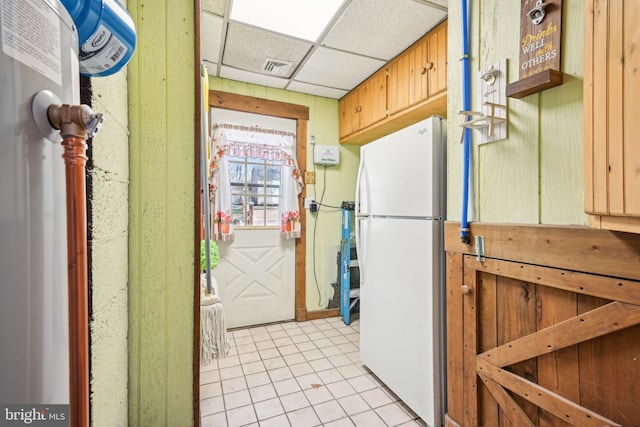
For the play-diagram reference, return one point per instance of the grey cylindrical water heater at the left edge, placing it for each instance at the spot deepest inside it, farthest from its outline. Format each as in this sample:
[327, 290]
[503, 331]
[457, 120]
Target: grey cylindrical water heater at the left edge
[39, 52]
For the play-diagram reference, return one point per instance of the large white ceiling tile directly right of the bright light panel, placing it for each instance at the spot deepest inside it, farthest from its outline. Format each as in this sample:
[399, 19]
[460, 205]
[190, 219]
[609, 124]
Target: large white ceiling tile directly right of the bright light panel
[382, 28]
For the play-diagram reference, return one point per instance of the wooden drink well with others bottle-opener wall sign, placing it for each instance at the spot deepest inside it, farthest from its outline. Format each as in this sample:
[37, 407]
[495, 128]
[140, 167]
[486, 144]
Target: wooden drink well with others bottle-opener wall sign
[540, 45]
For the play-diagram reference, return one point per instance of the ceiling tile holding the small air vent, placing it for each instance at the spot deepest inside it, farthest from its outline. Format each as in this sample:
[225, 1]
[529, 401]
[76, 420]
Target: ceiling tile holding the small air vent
[248, 47]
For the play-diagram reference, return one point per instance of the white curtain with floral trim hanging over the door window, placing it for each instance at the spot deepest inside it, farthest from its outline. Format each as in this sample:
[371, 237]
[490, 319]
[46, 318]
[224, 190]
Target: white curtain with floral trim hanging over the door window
[267, 144]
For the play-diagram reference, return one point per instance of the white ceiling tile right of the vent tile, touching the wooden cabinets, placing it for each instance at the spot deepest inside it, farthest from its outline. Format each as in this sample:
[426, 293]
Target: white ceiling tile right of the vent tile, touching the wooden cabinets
[340, 70]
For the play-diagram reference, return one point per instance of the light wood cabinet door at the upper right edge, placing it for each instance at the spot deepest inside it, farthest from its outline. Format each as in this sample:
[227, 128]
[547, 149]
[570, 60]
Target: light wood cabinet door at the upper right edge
[611, 105]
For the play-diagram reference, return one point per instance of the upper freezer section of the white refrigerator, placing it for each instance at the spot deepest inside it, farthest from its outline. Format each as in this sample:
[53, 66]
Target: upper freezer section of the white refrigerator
[402, 174]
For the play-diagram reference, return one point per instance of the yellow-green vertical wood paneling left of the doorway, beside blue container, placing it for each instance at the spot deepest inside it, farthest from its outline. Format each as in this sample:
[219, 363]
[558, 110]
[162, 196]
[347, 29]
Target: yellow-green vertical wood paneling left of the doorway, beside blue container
[161, 101]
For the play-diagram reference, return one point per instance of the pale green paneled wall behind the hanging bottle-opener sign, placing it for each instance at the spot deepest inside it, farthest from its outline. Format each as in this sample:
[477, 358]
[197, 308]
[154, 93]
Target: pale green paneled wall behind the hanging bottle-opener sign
[535, 175]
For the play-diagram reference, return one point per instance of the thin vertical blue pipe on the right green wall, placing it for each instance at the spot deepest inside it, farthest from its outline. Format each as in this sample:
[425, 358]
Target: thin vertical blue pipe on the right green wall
[466, 106]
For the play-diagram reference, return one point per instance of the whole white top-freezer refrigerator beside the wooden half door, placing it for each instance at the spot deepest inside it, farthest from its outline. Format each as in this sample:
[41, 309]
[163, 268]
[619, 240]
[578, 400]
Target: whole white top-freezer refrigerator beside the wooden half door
[400, 211]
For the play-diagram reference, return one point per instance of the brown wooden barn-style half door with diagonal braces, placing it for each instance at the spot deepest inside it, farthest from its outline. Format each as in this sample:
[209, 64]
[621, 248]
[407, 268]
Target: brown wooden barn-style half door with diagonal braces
[543, 343]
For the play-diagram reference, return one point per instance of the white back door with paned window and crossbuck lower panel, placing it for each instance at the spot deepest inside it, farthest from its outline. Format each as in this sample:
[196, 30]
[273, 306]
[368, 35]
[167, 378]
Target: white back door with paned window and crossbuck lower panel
[255, 275]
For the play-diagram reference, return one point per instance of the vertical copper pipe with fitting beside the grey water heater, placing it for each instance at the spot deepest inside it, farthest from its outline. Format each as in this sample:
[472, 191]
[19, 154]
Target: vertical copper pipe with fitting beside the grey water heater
[72, 121]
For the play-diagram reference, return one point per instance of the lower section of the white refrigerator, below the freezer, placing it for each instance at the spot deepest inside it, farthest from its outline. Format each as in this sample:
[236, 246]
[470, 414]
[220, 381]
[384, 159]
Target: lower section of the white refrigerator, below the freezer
[400, 310]
